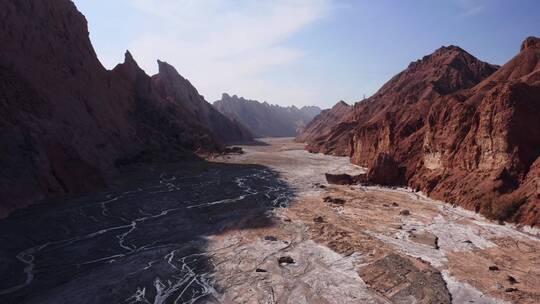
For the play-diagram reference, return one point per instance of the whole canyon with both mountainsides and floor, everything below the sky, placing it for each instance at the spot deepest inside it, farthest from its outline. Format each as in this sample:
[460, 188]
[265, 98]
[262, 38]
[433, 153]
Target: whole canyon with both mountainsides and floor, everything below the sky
[122, 187]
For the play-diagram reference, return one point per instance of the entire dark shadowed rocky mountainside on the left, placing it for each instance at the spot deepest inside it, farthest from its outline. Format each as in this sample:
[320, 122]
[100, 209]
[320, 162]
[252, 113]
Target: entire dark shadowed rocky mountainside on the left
[66, 122]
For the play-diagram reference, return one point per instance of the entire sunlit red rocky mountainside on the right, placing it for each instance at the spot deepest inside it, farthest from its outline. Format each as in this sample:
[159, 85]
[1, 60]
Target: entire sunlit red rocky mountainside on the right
[462, 130]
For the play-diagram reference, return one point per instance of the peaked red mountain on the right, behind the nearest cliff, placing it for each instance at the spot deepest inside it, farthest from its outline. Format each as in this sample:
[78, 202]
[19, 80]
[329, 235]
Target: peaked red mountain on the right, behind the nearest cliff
[393, 120]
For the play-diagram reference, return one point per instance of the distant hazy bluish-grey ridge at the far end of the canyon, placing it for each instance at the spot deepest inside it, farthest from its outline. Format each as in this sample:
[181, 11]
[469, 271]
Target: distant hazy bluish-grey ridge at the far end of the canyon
[266, 120]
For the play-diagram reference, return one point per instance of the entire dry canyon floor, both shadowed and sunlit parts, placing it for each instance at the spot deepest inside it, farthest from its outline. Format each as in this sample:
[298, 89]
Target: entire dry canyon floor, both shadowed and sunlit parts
[262, 227]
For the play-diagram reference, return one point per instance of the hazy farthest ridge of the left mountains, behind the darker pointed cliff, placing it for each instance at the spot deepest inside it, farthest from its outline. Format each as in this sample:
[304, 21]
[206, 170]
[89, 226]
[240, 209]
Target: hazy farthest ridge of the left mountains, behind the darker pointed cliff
[175, 88]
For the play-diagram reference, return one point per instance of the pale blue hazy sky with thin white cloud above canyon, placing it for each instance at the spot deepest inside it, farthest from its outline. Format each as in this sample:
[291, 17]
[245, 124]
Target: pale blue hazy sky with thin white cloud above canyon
[301, 51]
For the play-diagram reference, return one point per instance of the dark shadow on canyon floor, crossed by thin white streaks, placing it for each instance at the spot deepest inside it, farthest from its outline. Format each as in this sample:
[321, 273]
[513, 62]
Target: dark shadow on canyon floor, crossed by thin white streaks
[139, 244]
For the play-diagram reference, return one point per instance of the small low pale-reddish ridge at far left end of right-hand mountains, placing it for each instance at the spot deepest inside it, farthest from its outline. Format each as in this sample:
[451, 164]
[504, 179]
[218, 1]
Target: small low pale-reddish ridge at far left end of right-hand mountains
[323, 124]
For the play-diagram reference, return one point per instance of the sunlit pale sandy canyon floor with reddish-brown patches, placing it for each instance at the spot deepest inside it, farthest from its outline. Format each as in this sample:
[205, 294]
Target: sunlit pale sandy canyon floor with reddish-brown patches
[380, 246]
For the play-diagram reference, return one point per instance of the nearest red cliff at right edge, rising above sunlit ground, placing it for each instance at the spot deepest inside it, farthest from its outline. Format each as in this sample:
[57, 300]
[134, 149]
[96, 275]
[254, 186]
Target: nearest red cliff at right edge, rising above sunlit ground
[480, 146]
